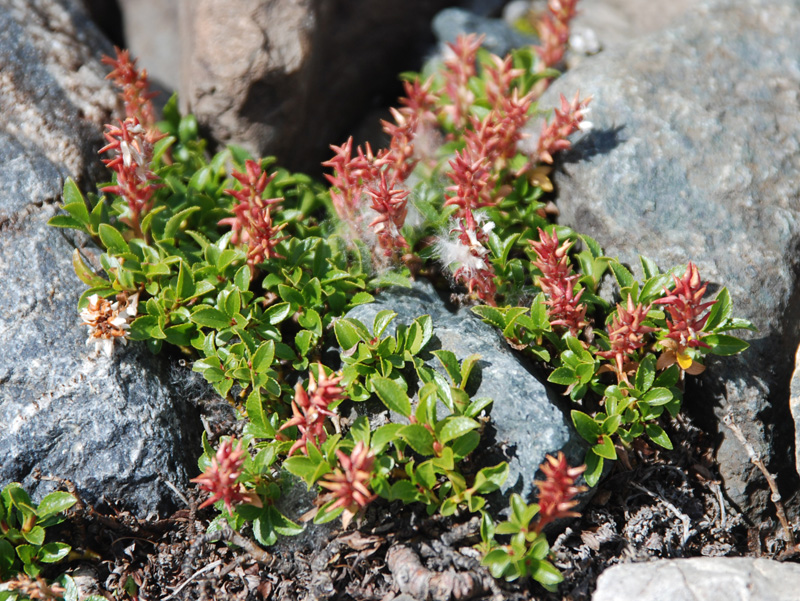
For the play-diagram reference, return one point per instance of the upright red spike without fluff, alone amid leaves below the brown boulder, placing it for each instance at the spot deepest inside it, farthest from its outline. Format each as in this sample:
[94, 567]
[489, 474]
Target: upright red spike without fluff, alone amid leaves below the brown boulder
[252, 218]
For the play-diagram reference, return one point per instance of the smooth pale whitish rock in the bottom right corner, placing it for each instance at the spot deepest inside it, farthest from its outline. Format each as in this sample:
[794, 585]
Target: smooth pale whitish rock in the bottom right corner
[700, 579]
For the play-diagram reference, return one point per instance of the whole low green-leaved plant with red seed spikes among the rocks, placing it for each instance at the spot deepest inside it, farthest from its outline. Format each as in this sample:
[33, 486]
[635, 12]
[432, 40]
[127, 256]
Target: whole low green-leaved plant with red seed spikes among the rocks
[250, 269]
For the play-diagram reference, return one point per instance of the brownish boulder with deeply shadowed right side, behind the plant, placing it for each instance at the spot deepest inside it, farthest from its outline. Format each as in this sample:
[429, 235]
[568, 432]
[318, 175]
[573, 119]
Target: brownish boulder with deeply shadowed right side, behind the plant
[290, 77]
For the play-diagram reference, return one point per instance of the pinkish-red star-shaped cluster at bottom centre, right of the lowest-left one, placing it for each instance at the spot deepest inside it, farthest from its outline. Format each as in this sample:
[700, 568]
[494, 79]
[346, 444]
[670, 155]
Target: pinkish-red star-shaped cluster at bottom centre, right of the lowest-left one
[349, 485]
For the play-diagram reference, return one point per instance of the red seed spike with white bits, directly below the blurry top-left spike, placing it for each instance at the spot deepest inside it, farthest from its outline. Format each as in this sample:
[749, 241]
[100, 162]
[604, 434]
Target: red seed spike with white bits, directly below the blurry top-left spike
[132, 149]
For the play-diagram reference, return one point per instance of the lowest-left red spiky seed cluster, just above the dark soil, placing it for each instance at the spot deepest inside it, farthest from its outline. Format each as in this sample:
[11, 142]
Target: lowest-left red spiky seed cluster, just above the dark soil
[220, 478]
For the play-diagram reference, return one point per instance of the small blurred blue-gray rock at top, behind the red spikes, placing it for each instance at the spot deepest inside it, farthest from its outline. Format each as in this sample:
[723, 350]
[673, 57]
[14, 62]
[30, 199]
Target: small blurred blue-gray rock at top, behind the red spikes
[500, 36]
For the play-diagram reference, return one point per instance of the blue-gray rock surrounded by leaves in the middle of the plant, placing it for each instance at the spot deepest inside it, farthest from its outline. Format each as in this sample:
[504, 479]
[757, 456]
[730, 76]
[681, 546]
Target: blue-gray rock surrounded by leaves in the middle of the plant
[527, 420]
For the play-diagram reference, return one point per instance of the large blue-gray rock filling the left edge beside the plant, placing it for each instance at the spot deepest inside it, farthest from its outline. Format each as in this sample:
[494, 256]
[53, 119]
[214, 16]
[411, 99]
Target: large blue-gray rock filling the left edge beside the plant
[113, 427]
